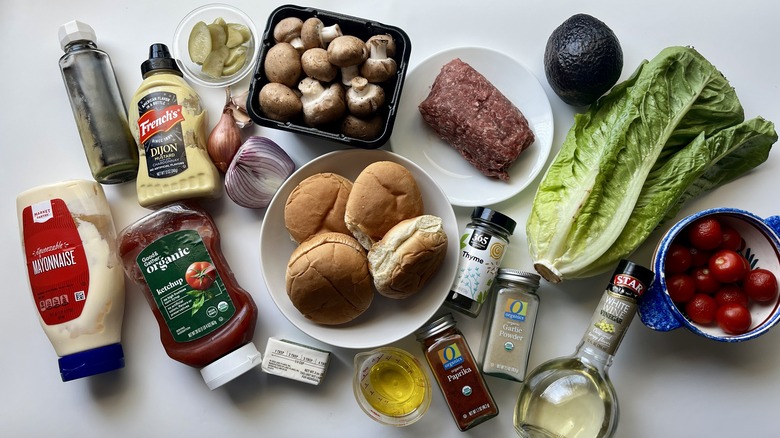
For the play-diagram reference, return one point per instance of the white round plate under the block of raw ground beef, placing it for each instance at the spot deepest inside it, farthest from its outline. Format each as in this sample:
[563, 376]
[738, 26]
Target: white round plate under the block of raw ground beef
[464, 185]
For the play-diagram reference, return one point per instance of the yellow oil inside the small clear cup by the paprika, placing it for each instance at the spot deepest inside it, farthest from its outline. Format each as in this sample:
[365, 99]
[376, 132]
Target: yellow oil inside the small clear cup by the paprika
[396, 388]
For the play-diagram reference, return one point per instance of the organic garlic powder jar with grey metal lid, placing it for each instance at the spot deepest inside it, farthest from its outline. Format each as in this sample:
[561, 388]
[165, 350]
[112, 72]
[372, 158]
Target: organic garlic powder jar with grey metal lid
[509, 326]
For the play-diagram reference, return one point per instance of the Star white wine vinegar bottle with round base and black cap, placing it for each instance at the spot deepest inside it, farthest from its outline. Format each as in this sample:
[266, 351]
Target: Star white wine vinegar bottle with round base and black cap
[573, 396]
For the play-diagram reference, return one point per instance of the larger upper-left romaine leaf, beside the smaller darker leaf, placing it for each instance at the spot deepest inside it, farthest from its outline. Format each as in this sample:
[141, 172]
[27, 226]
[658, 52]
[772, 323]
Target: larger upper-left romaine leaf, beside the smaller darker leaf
[589, 193]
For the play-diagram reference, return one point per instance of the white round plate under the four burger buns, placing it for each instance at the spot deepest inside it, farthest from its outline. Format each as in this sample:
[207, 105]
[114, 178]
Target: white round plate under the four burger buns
[386, 320]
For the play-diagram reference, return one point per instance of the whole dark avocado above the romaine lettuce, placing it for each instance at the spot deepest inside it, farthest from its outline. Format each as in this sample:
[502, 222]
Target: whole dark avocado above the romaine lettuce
[582, 60]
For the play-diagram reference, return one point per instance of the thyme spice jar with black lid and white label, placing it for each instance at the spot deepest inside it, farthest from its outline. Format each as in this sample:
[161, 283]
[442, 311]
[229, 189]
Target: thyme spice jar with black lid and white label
[482, 247]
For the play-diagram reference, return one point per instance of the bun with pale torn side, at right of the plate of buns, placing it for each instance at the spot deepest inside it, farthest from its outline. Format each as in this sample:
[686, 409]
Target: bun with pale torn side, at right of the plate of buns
[407, 256]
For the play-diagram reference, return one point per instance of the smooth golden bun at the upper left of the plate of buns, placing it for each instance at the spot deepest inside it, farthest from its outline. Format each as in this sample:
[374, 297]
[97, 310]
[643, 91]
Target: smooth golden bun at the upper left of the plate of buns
[317, 205]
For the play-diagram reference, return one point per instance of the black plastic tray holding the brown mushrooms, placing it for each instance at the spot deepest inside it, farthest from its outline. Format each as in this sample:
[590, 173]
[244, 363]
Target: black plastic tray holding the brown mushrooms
[358, 27]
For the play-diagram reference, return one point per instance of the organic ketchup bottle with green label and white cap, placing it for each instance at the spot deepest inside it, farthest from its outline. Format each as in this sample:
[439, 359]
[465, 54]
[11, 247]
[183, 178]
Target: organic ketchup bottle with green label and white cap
[206, 319]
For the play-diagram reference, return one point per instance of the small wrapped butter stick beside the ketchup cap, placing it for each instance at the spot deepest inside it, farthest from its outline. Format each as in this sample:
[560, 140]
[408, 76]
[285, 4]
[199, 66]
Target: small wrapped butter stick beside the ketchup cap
[295, 361]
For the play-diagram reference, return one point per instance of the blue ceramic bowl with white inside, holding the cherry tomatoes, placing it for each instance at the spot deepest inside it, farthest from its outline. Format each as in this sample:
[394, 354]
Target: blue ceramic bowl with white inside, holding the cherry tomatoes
[762, 249]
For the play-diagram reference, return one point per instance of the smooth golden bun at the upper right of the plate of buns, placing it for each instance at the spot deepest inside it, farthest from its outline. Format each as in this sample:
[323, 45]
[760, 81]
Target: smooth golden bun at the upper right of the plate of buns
[383, 194]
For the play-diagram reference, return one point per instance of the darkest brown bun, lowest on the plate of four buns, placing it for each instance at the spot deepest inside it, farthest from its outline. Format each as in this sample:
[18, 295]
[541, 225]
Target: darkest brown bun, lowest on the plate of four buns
[327, 279]
